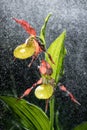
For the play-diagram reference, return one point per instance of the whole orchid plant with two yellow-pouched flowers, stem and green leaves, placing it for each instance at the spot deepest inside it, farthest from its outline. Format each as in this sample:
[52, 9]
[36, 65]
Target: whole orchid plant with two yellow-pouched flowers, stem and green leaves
[29, 116]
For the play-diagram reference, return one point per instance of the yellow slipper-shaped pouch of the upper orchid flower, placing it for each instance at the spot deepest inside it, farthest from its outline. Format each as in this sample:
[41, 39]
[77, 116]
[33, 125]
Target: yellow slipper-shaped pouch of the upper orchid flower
[24, 51]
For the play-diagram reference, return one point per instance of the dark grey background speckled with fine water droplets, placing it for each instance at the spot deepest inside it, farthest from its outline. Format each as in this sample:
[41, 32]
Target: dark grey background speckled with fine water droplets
[15, 77]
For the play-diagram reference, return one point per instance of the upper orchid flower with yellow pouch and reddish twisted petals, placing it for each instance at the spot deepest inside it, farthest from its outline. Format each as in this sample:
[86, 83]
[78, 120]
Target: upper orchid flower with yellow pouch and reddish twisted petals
[32, 47]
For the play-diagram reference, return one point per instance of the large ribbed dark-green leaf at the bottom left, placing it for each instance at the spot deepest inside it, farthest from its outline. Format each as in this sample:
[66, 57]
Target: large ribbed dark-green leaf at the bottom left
[29, 116]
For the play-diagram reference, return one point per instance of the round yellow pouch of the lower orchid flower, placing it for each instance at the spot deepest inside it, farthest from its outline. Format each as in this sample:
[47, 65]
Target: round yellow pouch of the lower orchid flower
[44, 91]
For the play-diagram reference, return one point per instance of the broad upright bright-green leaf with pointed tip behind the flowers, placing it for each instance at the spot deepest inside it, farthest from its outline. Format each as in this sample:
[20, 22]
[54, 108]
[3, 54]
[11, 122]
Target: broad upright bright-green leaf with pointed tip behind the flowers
[57, 52]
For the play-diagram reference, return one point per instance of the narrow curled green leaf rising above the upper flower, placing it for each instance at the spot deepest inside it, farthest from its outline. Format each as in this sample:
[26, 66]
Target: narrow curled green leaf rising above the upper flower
[43, 29]
